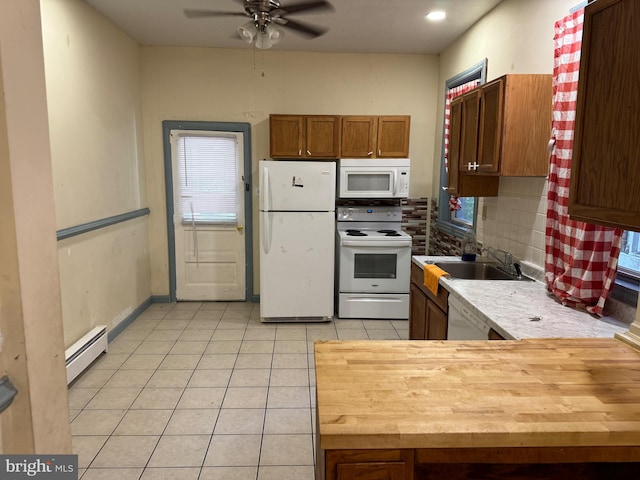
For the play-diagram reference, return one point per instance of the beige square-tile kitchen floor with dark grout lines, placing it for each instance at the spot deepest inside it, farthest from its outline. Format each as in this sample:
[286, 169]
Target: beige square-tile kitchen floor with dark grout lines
[205, 391]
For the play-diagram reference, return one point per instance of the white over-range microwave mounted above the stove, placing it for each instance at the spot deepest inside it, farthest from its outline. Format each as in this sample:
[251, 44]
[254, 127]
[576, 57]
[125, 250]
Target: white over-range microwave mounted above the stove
[373, 178]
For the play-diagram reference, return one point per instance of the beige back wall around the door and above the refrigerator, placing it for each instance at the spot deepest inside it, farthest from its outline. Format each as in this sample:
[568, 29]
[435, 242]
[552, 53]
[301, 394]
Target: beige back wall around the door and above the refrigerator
[246, 86]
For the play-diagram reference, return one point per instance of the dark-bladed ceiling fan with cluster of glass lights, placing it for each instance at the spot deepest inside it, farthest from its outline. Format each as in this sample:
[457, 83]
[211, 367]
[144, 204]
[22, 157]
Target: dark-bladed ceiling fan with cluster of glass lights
[265, 15]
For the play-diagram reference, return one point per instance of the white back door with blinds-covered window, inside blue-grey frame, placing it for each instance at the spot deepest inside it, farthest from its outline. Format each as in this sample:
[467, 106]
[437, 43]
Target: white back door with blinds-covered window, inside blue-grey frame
[208, 192]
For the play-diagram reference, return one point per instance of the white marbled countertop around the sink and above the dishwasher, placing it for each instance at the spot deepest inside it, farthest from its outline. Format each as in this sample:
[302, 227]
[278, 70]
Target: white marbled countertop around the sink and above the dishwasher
[522, 309]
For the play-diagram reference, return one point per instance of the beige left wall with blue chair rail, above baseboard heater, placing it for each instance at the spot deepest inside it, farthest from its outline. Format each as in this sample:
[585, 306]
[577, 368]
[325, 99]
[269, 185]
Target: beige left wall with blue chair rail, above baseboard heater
[93, 89]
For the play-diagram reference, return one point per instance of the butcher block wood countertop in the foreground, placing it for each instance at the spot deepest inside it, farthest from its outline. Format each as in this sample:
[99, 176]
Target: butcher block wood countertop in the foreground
[478, 394]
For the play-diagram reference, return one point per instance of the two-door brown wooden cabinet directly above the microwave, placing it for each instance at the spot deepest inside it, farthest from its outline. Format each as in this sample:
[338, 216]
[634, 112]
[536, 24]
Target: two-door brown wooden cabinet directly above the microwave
[375, 137]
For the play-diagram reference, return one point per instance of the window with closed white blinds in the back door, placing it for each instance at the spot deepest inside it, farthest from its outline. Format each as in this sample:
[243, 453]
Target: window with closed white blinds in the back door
[208, 177]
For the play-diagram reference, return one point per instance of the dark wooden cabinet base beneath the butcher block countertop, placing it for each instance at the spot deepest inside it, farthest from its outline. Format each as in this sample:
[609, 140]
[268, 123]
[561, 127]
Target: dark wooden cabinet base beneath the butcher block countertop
[521, 463]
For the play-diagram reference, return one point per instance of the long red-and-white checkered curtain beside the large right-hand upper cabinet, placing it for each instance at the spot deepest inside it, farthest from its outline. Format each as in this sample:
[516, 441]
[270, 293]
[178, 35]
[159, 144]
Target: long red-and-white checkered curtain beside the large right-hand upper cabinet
[581, 259]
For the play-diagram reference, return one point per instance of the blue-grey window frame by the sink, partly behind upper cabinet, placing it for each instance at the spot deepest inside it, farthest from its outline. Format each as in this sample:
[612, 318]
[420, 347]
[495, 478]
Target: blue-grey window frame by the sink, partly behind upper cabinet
[445, 221]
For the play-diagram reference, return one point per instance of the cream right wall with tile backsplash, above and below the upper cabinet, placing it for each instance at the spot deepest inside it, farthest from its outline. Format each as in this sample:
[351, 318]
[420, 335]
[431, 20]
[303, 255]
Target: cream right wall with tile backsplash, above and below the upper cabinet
[516, 37]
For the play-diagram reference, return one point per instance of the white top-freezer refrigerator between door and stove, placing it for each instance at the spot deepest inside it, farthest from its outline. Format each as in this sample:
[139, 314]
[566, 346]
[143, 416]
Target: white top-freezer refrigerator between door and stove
[297, 240]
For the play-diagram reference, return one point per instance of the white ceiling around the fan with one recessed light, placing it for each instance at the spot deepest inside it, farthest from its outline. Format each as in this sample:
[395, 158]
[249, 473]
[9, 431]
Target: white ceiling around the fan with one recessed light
[356, 26]
